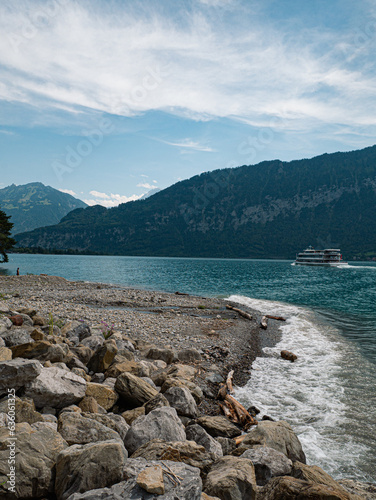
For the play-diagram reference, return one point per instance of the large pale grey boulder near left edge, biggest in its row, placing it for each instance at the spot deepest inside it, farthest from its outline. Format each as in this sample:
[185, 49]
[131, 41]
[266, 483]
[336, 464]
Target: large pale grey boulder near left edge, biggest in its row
[56, 387]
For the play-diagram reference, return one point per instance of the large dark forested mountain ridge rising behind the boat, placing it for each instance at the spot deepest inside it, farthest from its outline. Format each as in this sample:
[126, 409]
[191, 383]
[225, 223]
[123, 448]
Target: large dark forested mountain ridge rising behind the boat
[272, 209]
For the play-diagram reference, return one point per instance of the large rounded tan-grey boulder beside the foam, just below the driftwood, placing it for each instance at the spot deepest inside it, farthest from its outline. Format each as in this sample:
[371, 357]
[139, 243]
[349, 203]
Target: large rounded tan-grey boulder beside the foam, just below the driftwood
[277, 435]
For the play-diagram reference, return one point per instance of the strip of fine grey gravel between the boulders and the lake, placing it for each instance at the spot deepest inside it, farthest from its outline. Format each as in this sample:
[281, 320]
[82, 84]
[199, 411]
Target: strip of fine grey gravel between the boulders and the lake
[178, 321]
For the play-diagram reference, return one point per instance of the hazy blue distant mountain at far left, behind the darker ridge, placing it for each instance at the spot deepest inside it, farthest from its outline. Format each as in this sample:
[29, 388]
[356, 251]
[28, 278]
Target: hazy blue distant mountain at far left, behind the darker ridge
[35, 205]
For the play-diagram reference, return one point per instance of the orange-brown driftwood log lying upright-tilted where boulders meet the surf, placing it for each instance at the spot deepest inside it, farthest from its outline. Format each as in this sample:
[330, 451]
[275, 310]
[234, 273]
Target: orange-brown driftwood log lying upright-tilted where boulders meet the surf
[231, 408]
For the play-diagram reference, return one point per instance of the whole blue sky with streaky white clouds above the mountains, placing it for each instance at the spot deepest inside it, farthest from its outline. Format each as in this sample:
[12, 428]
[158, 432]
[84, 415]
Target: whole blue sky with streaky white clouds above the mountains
[108, 99]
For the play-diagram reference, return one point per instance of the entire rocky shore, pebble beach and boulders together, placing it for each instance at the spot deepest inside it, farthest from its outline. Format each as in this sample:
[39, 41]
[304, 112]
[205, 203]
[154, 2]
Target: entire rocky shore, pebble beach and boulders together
[116, 393]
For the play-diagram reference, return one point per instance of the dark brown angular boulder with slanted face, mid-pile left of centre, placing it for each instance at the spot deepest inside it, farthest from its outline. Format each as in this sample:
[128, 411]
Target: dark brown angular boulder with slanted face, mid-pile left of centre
[133, 390]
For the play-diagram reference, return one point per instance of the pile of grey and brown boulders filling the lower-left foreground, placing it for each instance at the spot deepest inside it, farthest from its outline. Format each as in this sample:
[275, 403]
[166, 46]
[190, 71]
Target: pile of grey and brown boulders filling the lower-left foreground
[108, 417]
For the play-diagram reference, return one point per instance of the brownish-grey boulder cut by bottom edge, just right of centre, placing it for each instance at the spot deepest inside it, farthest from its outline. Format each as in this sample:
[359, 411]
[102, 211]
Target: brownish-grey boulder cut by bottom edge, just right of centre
[231, 478]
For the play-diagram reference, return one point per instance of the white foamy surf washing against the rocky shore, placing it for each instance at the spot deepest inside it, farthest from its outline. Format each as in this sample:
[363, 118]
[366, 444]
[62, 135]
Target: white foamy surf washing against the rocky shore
[325, 395]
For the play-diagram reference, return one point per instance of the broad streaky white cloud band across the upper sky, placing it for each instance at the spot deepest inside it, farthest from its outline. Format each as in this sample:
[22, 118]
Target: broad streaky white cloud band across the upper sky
[61, 55]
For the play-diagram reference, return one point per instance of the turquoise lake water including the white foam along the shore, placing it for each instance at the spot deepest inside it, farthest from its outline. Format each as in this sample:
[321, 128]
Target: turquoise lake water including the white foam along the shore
[328, 395]
